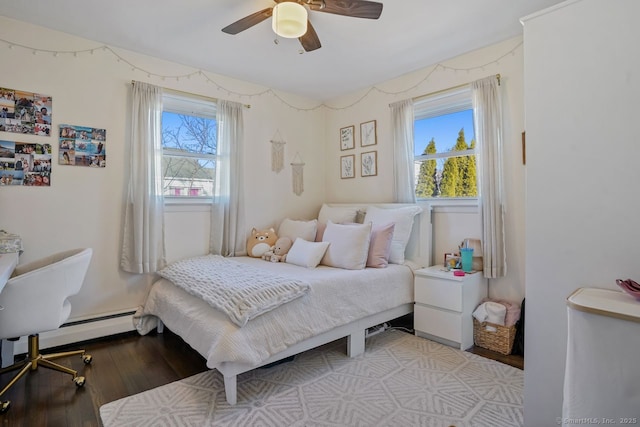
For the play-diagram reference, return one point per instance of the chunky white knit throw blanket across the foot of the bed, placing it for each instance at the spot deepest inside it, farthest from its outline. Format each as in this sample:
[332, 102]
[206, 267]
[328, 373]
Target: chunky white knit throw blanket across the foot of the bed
[241, 291]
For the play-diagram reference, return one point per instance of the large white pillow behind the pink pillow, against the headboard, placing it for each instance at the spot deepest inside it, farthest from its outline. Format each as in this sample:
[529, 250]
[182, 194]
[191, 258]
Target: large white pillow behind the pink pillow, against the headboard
[403, 220]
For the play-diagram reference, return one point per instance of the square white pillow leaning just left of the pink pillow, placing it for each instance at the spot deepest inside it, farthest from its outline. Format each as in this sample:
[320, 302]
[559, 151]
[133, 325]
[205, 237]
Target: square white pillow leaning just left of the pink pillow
[349, 245]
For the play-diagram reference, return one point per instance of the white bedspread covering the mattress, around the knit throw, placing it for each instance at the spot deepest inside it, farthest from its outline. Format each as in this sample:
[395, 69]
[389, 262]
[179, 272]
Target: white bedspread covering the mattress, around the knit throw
[337, 297]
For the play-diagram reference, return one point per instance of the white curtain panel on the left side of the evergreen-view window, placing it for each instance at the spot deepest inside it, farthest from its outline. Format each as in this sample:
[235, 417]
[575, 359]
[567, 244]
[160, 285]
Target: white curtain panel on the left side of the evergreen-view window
[402, 127]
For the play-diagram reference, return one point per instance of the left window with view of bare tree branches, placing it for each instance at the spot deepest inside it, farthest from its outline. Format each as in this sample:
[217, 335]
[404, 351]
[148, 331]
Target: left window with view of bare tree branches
[189, 141]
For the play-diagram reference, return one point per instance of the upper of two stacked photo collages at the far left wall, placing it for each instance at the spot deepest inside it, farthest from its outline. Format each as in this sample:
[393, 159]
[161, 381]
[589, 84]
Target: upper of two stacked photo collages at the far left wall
[25, 112]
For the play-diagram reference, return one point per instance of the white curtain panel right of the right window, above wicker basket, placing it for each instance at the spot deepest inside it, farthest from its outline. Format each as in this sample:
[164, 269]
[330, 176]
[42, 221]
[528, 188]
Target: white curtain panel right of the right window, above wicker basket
[487, 114]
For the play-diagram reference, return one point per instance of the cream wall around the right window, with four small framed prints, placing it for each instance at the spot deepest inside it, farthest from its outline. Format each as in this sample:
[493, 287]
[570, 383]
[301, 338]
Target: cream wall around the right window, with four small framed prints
[504, 58]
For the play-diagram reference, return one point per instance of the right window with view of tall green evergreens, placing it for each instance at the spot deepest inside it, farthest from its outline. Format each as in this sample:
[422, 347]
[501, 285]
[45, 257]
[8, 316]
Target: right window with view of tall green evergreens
[445, 152]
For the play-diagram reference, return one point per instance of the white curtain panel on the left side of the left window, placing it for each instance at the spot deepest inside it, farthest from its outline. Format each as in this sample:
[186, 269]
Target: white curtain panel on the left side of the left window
[143, 248]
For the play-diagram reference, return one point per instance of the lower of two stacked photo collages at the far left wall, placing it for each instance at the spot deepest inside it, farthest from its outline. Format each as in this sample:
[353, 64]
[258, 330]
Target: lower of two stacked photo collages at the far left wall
[24, 163]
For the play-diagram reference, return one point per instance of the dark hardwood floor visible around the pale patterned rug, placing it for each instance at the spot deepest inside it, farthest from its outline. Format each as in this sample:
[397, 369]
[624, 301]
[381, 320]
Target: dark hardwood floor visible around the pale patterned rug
[122, 365]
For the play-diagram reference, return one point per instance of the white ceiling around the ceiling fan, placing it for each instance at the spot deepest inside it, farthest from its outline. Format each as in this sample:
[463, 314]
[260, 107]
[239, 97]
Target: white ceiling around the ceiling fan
[356, 53]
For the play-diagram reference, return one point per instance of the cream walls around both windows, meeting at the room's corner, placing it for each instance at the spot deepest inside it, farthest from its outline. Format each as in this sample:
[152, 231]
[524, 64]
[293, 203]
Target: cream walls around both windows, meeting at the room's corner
[83, 207]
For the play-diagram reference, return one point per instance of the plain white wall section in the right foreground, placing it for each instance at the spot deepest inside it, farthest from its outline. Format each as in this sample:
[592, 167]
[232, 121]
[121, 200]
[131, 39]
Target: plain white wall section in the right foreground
[582, 88]
